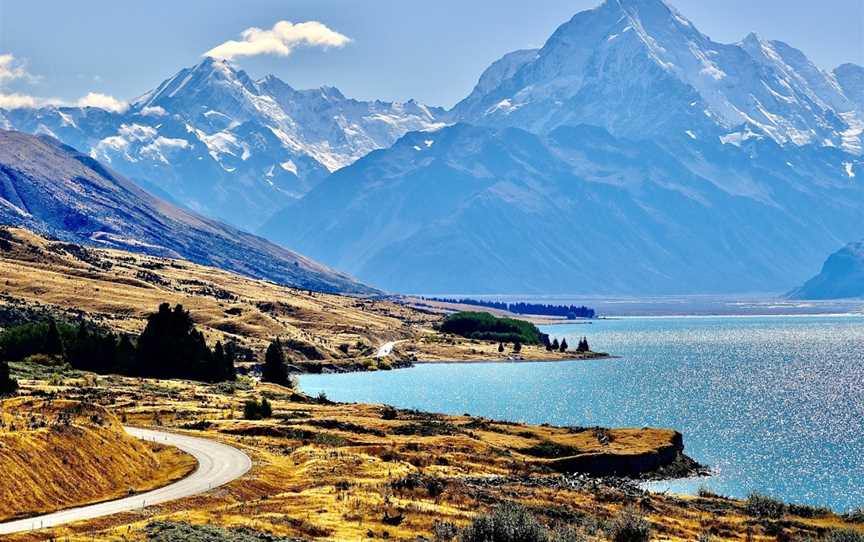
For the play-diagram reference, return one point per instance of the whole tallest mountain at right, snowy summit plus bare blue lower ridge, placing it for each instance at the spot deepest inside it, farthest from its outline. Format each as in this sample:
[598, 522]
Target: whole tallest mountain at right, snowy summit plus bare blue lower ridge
[660, 162]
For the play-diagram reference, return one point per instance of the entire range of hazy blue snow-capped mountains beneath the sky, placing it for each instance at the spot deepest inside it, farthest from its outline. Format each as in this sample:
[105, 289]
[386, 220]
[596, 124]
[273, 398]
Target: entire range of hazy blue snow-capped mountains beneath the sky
[630, 154]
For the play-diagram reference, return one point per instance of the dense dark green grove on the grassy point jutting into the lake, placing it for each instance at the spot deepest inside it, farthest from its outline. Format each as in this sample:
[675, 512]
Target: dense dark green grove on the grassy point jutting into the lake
[486, 327]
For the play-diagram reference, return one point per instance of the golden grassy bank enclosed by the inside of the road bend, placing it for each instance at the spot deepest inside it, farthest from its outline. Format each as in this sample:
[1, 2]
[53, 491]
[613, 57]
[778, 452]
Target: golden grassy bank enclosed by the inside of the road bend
[58, 454]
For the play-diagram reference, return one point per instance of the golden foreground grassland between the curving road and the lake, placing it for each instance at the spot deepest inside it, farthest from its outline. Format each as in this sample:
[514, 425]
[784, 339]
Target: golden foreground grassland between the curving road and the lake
[333, 471]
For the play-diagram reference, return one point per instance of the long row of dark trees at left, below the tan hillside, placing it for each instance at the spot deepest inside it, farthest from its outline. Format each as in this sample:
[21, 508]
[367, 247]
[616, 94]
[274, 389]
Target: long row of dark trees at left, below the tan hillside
[169, 347]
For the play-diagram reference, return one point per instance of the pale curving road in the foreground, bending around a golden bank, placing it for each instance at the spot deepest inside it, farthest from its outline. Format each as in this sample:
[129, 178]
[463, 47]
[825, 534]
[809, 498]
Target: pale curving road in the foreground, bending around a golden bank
[218, 464]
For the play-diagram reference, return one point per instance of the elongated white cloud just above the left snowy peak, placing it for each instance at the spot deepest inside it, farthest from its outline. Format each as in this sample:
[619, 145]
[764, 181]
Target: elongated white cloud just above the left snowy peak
[280, 40]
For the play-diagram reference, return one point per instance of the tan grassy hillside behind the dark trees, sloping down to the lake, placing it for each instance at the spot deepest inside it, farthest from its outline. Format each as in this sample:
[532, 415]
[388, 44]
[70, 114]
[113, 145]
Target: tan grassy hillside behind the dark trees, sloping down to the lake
[117, 290]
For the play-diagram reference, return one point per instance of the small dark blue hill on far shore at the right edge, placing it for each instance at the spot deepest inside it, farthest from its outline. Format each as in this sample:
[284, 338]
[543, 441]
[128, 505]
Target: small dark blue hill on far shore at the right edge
[842, 276]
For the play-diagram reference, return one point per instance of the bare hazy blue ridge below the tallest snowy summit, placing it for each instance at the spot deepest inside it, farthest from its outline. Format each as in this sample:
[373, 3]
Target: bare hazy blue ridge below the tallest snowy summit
[485, 210]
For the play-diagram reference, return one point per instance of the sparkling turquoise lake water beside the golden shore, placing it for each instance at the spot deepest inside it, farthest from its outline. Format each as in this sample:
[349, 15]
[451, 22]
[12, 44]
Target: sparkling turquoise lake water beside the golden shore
[773, 404]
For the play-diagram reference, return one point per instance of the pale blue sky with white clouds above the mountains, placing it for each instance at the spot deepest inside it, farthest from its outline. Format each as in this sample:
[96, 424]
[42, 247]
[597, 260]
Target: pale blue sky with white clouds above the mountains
[100, 50]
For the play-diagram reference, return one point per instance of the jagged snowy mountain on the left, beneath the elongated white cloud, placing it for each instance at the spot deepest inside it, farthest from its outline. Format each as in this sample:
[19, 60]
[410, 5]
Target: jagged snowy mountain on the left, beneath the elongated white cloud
[212, 139]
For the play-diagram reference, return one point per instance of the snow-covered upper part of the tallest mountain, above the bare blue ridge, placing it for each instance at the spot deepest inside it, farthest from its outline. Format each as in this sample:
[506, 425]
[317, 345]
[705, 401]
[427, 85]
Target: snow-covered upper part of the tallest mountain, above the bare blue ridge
[640, 69]
